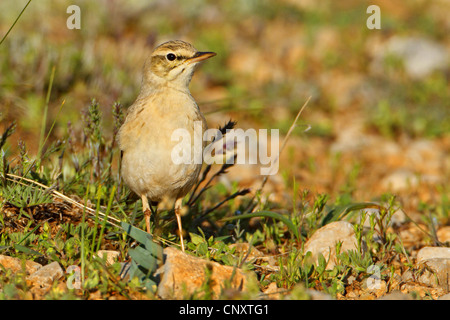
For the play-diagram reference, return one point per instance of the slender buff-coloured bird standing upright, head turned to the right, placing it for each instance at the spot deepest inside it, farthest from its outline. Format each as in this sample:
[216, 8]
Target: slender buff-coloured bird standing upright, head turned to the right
[163, 105]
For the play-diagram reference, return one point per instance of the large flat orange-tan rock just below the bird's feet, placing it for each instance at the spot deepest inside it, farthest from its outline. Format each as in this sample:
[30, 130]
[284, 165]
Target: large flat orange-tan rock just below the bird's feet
[183, 275]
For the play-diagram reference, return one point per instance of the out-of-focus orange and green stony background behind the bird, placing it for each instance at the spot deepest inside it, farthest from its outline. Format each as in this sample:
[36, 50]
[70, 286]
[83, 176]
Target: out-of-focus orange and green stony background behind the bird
[379, 109]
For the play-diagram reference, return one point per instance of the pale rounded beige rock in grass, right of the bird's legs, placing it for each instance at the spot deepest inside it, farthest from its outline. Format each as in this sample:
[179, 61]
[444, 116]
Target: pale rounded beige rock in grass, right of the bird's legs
[324, 241]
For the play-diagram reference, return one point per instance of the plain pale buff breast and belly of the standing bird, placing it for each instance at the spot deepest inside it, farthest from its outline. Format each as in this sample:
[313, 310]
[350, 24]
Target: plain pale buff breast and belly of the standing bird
[156, 142]
